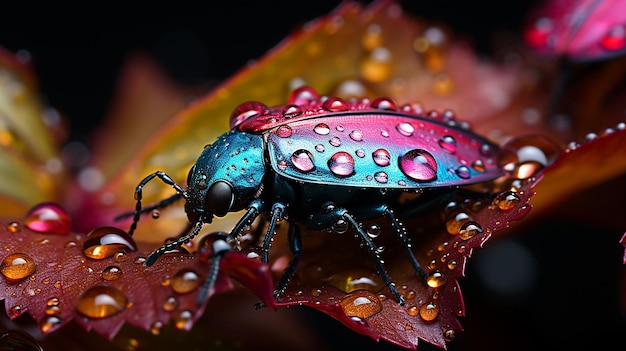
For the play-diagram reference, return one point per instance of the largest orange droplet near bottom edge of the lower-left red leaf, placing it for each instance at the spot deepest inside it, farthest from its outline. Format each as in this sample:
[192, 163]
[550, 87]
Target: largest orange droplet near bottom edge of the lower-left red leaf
[101, 302]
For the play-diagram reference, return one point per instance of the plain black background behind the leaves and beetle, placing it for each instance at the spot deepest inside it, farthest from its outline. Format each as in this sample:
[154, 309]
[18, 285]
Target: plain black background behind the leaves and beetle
[571, 300]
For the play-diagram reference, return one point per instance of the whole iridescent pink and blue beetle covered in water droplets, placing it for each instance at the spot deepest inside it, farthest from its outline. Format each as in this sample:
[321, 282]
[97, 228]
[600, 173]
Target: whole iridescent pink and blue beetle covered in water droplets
[325, 163]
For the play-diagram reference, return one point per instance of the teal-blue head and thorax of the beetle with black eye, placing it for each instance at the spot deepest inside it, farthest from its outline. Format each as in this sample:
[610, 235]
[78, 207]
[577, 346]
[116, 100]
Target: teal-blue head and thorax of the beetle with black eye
[226, 176]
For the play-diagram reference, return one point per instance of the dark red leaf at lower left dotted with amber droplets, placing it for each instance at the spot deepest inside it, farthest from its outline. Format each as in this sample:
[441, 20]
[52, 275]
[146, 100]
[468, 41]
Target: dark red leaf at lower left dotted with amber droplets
[57, 289]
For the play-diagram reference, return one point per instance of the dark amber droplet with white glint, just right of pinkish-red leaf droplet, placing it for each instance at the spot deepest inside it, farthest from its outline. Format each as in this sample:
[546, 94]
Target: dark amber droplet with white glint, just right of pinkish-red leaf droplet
[104, 242]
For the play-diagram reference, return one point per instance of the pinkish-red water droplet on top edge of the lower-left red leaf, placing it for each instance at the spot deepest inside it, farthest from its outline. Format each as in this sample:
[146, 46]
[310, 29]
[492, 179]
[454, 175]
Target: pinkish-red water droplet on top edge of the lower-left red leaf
[48, 217]
